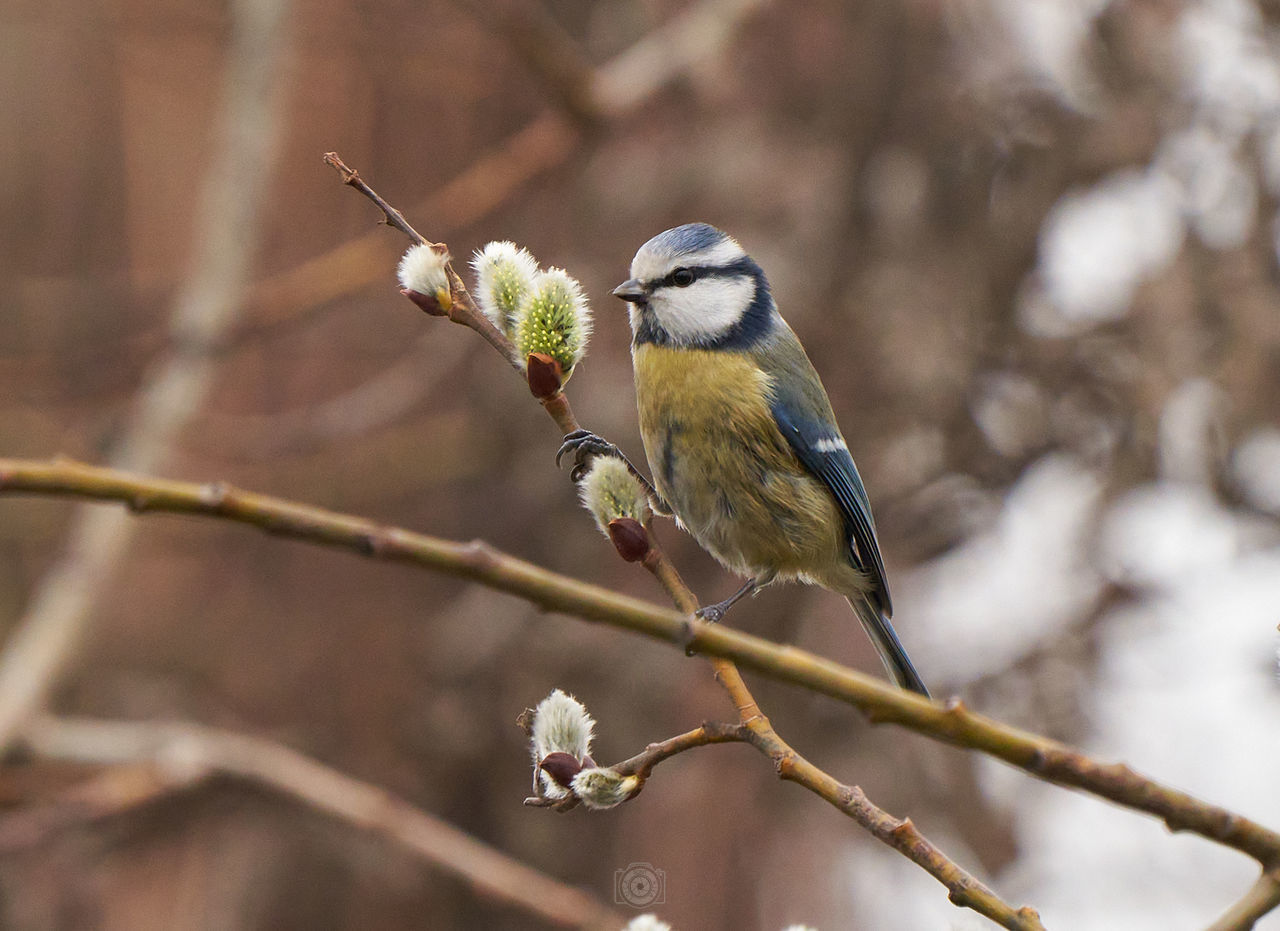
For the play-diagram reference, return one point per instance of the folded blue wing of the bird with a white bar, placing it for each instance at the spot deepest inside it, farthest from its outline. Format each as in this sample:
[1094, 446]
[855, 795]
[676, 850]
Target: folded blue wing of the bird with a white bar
[817, 444]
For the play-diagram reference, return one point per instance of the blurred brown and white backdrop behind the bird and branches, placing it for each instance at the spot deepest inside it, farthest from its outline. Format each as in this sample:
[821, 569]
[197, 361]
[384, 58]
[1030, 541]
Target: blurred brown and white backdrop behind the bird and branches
[1031, 248]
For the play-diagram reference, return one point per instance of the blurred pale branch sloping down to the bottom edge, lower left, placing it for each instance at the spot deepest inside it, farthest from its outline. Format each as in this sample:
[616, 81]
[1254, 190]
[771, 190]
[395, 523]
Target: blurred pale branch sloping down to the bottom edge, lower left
[182, 755]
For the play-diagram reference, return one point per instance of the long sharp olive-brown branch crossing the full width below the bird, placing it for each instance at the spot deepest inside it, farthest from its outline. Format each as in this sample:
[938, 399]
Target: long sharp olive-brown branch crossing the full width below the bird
[884, 704]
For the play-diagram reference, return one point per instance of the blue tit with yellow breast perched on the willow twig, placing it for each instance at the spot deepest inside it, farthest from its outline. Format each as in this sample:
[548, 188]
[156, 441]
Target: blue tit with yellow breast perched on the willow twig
[740, 436]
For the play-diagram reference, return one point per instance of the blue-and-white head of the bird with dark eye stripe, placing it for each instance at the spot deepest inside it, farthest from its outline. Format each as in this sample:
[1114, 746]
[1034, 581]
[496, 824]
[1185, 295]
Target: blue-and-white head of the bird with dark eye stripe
[696, 287]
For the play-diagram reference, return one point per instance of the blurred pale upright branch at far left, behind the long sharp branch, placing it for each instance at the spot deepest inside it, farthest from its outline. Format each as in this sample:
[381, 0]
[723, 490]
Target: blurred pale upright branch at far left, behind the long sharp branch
[176, 385]
